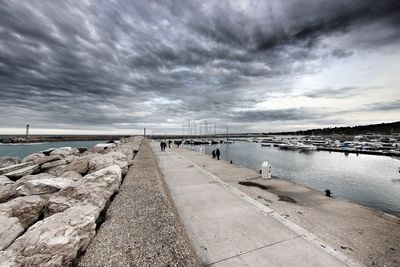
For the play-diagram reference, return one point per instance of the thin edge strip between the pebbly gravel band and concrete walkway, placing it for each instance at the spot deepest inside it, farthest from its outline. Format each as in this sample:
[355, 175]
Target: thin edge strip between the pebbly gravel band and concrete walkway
[172, 203]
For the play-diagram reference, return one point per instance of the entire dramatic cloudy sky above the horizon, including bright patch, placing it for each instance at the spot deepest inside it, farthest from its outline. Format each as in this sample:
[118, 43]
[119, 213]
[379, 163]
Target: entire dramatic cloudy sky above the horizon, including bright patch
[94, 66]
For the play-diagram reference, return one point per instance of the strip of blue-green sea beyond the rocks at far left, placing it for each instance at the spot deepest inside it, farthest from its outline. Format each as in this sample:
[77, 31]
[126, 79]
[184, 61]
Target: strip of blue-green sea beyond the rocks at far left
[21, 151]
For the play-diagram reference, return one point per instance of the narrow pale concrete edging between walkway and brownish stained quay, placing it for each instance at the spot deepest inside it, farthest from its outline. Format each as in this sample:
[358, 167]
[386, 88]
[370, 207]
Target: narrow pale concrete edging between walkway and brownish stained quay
[292, 226]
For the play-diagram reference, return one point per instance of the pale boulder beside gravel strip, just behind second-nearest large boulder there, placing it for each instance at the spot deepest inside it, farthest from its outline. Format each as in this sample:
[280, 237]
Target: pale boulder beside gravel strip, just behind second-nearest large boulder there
[100, 161]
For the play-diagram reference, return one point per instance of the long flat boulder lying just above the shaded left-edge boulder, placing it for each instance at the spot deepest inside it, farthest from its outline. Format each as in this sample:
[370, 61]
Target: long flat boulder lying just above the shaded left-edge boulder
[44, 186]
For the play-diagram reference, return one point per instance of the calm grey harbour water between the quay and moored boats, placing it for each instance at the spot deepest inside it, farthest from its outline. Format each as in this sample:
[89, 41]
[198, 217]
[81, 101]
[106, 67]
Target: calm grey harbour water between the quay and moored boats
[369, 180]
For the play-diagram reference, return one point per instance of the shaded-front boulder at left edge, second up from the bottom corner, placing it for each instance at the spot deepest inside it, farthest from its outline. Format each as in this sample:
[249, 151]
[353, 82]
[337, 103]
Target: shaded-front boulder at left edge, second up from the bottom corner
[26, 209]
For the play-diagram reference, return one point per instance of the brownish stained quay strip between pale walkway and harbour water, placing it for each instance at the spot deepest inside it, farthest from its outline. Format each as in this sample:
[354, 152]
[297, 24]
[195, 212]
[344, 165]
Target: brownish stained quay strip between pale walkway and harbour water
[366, 234]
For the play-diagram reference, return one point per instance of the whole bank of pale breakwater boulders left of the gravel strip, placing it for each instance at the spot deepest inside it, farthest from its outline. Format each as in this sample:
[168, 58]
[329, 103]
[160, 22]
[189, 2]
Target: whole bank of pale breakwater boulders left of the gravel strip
[52, 202]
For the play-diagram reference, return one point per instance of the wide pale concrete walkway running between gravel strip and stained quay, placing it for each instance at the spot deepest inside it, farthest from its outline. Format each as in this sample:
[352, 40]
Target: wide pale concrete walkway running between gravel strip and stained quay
[228, 228]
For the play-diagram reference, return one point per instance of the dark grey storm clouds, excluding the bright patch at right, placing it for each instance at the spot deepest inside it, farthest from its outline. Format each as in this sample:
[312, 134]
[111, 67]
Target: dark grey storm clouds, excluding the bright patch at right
[82, 64]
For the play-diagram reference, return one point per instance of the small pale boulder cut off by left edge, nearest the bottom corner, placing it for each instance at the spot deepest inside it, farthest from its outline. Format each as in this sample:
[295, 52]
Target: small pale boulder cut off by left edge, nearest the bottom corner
[10, 229]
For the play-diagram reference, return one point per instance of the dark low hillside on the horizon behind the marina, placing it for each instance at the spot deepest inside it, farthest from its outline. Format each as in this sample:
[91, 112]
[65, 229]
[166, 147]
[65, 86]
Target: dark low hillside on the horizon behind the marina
[382, 128]
